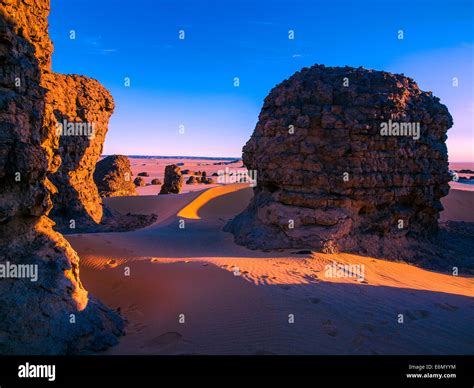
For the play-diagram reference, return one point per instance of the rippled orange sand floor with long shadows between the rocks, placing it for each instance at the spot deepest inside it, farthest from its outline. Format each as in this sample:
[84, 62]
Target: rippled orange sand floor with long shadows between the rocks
[192, 290]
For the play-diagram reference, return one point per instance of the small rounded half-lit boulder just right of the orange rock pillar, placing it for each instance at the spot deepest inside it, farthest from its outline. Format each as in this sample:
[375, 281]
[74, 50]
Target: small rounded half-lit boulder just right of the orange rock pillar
[113, 177]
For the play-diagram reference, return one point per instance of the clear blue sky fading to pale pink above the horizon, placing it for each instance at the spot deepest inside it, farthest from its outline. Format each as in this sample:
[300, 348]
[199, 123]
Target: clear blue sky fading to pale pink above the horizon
[190, 82]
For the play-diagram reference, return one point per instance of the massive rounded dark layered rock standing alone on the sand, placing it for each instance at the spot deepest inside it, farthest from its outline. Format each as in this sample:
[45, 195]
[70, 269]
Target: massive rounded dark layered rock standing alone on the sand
[331, 178]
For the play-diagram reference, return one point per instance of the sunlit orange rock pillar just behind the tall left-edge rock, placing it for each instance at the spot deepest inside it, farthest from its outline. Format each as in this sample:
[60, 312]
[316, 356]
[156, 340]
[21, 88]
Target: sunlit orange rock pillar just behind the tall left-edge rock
[82, 108]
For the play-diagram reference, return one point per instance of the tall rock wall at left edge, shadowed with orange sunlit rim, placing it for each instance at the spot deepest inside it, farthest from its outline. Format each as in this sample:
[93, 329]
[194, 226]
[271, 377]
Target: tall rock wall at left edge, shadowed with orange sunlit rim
[50, 313]
